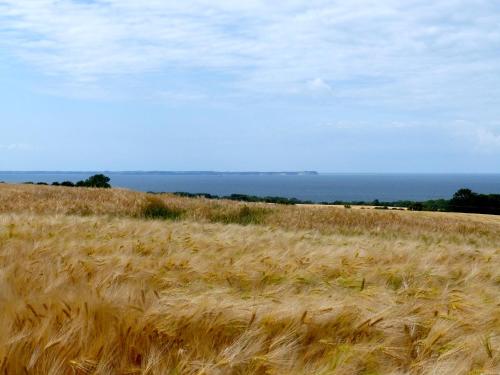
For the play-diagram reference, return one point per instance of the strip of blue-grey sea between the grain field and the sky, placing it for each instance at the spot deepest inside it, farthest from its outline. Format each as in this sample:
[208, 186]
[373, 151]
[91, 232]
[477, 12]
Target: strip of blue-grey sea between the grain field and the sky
[317, 188]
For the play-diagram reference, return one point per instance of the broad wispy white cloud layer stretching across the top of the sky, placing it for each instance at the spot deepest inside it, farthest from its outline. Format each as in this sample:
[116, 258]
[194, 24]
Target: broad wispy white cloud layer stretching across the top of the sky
[416, 51]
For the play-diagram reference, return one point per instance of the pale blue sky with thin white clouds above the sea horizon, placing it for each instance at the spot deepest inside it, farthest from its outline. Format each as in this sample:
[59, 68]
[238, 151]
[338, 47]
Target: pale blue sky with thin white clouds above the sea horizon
[333, 86]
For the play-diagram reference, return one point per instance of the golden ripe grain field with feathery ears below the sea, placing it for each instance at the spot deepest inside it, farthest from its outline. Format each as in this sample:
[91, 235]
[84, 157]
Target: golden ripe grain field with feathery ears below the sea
[88, 285]
